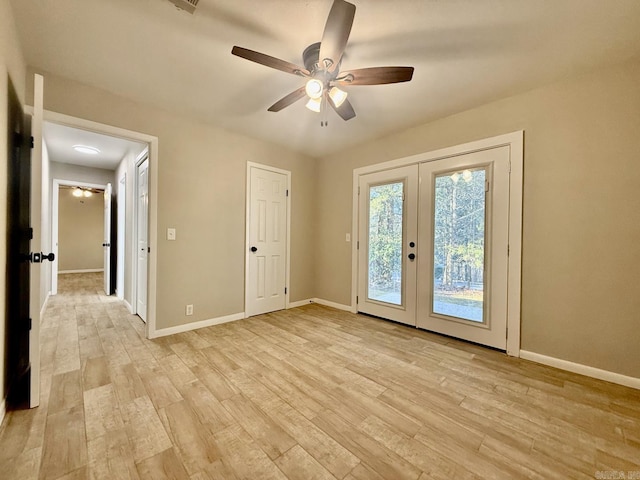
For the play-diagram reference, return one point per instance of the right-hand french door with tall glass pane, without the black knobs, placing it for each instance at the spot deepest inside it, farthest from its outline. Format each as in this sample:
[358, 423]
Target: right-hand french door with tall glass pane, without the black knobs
[464, 222]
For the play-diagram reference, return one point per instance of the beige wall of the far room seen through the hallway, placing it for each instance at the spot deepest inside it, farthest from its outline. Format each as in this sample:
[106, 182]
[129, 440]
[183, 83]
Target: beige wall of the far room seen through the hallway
[80, 231]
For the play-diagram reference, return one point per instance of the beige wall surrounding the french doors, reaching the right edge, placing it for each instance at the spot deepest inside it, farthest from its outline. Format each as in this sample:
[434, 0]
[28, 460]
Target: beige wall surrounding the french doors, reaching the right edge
[581, 225]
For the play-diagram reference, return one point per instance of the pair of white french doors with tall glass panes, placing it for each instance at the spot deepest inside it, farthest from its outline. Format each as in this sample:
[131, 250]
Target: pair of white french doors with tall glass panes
[433, 248]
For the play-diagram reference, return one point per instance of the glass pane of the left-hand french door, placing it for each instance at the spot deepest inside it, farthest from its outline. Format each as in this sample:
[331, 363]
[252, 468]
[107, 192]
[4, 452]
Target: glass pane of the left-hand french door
[385, 243]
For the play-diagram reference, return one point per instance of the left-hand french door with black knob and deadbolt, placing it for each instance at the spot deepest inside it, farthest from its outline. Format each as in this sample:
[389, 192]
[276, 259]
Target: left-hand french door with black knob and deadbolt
[388, 244]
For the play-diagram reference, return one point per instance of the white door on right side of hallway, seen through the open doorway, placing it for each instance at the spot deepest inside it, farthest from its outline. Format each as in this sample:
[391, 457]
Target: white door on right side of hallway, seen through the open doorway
[142, 239]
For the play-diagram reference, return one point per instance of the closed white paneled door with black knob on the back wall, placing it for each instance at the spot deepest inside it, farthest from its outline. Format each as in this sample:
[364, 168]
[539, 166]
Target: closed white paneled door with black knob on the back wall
[267, 241]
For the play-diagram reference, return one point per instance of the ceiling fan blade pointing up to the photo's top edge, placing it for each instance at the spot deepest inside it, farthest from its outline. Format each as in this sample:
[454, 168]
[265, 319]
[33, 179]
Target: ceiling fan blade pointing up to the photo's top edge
[336, 33]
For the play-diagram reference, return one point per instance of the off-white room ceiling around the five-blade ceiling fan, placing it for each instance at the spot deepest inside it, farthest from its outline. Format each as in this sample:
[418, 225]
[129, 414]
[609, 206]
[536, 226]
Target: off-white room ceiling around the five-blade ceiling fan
[465, 53]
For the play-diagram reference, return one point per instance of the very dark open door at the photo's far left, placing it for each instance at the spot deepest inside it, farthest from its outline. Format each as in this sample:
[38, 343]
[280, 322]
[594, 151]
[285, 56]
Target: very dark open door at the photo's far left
[19, 234]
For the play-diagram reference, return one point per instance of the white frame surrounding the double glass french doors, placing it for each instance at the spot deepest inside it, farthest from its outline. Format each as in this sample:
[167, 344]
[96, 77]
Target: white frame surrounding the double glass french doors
[515, 142]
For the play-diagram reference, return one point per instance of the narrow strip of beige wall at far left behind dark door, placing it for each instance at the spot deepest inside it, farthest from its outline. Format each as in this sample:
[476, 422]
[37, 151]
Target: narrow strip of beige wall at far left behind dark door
[11, 65]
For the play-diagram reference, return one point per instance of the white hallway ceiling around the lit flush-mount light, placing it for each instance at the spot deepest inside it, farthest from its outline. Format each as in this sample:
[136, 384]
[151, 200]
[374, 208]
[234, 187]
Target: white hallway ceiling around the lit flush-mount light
[60, 140]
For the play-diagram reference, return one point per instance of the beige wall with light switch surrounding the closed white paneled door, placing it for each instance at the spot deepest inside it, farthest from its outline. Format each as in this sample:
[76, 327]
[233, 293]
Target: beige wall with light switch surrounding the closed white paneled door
[201, 190]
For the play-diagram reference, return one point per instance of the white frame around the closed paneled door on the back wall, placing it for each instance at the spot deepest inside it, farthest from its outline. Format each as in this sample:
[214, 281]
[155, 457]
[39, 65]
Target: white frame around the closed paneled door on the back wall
[247, 240]
